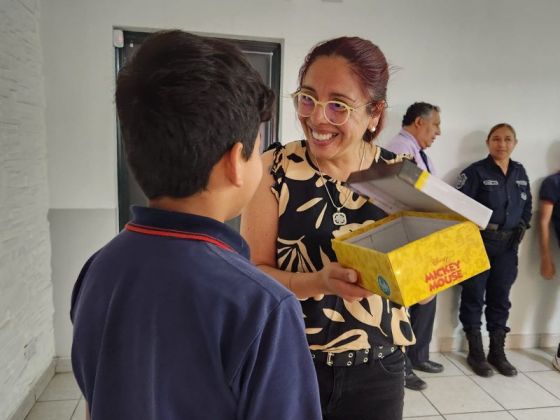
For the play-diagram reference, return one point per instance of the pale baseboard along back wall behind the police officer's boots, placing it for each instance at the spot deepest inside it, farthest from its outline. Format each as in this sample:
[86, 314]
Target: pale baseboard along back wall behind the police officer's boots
[513, 341]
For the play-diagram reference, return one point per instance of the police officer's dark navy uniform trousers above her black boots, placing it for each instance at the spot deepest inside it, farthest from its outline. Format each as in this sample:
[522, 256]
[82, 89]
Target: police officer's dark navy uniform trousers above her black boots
[491, 288]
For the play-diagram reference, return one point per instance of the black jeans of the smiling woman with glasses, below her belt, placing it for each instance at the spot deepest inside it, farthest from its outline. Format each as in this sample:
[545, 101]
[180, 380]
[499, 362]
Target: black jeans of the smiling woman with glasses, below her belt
[373, 391]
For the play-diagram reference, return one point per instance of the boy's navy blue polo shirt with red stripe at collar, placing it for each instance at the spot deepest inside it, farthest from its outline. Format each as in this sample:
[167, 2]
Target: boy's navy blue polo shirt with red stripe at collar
[172, 321]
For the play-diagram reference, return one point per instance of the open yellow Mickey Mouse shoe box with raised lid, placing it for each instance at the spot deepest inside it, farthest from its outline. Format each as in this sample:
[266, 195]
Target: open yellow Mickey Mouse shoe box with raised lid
[411, 255]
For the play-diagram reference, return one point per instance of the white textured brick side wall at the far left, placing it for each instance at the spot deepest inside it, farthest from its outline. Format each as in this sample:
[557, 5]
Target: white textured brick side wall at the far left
[26, 300]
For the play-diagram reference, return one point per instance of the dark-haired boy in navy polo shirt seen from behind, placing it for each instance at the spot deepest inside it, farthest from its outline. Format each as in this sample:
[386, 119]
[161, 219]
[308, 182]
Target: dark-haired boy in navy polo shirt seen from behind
[171, 320]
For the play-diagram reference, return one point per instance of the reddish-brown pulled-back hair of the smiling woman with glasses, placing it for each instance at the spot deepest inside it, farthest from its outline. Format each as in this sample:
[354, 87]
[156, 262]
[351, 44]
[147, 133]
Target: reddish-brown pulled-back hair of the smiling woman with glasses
[367, 62]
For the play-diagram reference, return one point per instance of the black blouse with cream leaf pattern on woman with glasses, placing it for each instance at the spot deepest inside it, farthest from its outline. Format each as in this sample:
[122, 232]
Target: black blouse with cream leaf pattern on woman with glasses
[305, 230]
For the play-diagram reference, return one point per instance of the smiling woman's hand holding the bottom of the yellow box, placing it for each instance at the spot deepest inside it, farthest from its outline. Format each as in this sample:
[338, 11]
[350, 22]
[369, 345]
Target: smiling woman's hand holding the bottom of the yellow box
[342, 282]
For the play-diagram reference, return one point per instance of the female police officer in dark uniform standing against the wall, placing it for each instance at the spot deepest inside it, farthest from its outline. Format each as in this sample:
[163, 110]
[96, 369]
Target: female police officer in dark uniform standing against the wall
[502, 185]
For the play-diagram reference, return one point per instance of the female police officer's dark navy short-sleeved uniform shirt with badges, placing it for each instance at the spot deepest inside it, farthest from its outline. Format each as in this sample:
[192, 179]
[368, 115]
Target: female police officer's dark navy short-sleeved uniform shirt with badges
[508, 196]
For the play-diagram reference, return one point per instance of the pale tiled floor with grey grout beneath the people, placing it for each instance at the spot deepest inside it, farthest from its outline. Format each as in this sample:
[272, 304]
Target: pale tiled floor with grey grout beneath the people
[454, 394]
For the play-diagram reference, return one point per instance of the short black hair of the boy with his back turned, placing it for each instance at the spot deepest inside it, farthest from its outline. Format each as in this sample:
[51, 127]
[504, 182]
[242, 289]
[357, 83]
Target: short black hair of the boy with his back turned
[183, 101]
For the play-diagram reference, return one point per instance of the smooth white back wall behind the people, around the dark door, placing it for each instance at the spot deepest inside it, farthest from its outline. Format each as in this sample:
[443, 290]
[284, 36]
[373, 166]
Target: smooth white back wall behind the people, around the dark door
[482, 61]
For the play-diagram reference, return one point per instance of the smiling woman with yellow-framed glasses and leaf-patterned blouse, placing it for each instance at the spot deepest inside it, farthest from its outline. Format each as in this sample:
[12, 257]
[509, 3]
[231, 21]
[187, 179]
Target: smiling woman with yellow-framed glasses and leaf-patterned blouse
[355, 337]
